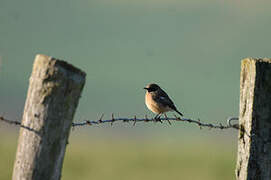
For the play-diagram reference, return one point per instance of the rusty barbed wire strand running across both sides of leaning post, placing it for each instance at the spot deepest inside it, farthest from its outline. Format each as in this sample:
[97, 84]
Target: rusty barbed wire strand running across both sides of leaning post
[146, 119]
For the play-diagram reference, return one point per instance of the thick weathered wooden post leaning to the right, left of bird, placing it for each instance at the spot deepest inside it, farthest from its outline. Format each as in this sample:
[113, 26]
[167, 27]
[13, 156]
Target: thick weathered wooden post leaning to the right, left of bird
[54, 91]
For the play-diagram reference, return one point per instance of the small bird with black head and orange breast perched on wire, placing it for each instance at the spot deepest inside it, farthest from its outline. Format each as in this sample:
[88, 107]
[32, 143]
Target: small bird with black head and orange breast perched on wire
[157, 100]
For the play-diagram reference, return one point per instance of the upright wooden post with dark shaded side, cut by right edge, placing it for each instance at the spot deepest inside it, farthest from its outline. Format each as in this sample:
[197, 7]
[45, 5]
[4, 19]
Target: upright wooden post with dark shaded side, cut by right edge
[254, 141]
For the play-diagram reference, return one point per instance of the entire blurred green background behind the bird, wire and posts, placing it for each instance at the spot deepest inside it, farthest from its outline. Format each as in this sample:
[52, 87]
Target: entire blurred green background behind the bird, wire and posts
[192, 49]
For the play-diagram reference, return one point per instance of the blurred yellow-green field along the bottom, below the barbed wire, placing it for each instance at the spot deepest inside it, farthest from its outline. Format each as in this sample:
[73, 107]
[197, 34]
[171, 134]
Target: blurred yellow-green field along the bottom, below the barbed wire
[87, 158]
